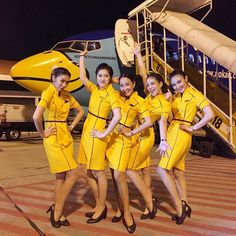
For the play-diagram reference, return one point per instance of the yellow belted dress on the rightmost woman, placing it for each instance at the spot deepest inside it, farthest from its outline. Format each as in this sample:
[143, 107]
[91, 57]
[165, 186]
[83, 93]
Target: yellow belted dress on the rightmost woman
[184, 109]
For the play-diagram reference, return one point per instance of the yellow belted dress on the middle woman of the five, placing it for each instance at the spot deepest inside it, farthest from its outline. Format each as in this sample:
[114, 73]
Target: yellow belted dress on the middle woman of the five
[119, 147]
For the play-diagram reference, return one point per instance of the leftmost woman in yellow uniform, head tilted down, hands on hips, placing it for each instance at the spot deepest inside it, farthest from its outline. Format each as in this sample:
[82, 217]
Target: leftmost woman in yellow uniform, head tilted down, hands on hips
[57, 139]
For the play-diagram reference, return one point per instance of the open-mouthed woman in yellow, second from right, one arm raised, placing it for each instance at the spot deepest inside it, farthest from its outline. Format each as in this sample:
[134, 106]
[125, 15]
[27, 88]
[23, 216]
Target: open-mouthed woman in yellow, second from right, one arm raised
[159, 109]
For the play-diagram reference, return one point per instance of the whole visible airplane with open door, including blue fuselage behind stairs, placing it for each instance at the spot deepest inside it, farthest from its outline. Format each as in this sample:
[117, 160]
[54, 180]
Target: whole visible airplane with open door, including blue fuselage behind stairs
[113, 47]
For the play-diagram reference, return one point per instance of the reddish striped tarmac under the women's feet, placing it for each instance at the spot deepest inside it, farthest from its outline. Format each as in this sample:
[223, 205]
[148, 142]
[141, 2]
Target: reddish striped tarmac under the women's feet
[26, 189]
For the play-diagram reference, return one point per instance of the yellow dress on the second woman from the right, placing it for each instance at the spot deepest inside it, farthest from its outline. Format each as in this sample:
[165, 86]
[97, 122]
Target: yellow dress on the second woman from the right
[140, 156]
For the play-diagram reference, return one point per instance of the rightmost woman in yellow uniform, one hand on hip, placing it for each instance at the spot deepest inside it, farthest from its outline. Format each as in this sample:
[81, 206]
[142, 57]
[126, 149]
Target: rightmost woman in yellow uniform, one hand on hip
[185, 104]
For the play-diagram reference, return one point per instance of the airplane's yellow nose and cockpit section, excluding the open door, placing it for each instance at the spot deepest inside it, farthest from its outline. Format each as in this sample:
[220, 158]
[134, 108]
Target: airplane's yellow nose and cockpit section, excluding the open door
[34, 72]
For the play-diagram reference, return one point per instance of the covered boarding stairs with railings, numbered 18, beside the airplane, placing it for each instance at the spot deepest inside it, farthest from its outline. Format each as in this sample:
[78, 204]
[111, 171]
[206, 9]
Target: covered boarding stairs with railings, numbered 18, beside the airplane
[172, 16]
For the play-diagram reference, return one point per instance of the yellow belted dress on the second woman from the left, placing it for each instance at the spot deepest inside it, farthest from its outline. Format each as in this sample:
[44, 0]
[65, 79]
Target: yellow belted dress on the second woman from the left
[102, 102]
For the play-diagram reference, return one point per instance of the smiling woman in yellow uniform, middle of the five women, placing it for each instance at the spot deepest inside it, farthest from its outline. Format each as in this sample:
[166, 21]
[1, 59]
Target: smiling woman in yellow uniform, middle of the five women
[119, 148]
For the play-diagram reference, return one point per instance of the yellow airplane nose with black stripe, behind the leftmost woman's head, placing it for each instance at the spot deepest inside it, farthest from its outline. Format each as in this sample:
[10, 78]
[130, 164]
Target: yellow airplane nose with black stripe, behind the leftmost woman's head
[34, 72]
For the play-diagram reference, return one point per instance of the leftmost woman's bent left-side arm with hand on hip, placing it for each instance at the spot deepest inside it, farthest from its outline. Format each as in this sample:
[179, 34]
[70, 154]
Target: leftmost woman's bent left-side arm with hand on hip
[38, 122]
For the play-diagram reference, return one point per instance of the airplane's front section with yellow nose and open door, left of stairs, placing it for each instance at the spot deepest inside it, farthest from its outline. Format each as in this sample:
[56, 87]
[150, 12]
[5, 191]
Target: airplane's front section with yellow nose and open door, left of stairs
[33, 73]
